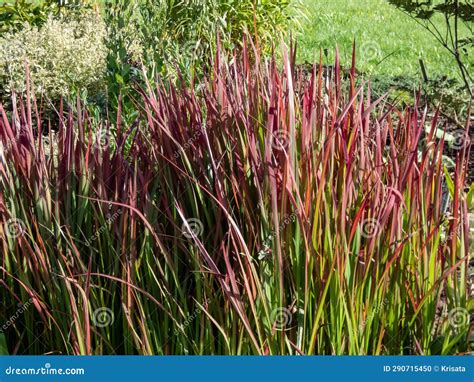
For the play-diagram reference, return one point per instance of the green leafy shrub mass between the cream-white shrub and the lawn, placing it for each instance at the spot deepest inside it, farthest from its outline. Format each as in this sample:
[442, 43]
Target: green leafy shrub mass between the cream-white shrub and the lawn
[178, 38]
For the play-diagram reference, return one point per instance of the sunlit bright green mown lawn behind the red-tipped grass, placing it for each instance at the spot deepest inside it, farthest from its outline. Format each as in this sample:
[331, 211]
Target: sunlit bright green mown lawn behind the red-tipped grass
[389, 43]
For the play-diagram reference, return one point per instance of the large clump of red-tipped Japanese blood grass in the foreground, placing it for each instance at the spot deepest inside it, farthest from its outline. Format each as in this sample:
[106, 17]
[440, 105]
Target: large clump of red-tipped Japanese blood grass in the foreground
[262, 211]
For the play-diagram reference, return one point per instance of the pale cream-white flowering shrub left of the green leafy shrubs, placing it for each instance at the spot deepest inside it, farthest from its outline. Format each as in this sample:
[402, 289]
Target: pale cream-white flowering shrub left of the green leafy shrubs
[67, 53]
